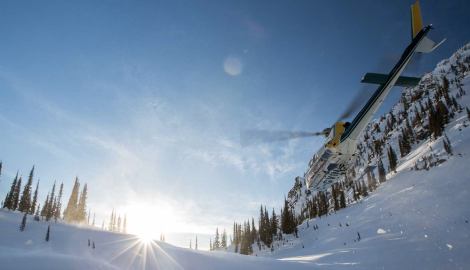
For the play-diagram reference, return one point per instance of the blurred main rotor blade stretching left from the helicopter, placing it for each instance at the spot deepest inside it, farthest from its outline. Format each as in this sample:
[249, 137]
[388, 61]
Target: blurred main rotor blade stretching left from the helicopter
[253, 136]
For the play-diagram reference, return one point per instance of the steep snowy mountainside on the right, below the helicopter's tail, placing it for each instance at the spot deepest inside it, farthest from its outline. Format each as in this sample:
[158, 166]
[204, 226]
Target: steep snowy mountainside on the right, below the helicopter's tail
[418, 218]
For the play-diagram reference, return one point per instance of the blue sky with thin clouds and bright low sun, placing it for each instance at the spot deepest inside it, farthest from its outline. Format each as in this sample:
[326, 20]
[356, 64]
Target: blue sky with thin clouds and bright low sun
[144, 100]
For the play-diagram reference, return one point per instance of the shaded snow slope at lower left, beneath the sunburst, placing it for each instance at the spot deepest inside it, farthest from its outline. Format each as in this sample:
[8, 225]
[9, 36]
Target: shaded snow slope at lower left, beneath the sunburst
[68, 249]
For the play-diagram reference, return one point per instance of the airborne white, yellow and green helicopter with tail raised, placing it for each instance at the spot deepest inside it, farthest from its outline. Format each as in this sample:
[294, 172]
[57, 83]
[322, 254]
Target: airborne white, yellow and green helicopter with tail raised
[339, 152]
